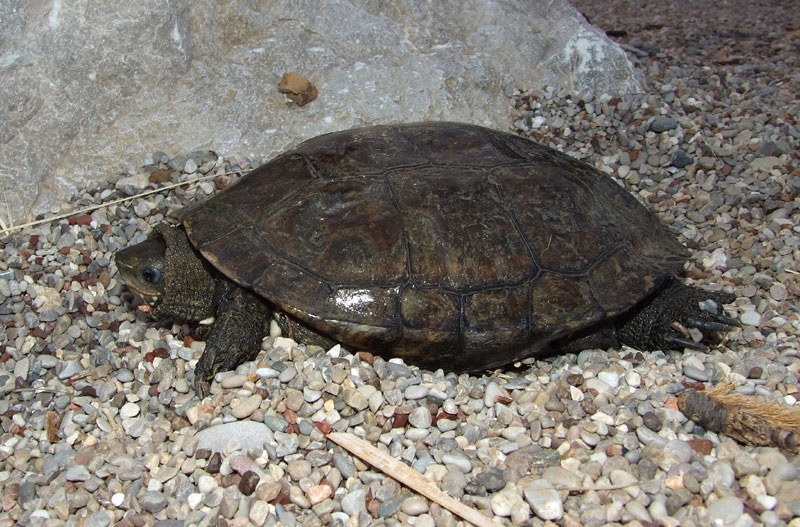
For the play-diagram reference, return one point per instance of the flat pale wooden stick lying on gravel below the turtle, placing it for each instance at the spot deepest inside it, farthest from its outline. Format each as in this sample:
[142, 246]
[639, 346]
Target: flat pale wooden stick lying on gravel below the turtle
[409, 477]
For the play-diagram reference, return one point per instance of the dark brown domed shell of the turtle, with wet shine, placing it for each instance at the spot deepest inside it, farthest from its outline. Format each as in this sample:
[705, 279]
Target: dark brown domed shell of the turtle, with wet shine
[447, 244]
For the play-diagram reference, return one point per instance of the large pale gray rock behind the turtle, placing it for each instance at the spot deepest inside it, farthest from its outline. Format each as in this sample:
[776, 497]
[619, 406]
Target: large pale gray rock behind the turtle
[87, 87]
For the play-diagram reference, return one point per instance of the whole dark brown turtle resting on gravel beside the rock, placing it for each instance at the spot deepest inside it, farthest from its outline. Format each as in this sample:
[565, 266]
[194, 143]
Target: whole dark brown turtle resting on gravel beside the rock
[448, 245]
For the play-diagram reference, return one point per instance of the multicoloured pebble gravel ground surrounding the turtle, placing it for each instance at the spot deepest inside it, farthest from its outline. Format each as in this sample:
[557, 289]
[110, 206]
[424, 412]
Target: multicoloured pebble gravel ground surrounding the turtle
[100, 427]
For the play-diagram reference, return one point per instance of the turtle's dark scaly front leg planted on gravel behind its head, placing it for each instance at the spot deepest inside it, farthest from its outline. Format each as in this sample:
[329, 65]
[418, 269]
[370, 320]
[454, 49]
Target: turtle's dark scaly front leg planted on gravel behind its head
[241, 321]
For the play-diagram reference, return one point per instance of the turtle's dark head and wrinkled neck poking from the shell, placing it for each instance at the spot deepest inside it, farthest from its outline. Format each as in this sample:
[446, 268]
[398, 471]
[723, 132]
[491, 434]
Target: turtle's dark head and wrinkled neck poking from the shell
[167, 273]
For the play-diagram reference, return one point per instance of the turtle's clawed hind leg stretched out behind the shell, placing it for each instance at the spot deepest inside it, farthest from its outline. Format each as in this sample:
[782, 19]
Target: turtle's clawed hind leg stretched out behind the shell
[663, 321]
